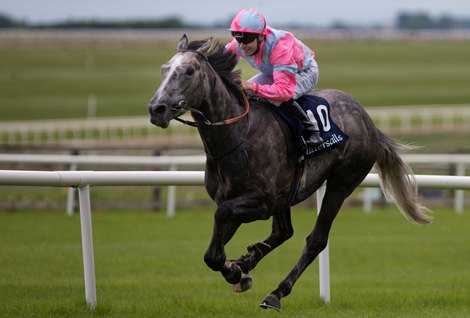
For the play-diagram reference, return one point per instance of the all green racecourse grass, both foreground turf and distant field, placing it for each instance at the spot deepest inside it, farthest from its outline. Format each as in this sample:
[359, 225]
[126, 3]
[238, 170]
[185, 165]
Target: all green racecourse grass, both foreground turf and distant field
[149, 266]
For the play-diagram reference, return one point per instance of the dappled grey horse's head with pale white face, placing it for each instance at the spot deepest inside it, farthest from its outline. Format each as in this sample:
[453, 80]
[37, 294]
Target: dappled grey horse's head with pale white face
[184, 82]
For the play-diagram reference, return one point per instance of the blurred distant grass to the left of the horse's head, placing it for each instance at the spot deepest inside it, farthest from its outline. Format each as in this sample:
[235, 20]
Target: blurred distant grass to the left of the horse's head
[47, 83]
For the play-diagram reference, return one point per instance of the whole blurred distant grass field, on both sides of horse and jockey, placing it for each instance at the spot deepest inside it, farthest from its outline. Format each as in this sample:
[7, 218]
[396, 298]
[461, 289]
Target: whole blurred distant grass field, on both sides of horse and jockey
[43, 82]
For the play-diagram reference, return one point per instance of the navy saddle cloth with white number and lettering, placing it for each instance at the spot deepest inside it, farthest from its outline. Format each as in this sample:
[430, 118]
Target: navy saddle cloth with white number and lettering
[318, 110]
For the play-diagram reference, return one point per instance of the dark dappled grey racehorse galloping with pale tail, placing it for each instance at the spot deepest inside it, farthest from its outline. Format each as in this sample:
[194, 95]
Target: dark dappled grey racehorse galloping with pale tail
[250, 168]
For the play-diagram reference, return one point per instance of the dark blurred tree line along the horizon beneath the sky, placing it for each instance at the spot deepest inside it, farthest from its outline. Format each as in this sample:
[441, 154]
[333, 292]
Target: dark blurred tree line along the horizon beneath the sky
[404, 20]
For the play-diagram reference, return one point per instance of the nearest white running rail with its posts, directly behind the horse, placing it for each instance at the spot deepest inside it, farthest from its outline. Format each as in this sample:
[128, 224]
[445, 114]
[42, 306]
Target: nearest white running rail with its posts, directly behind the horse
[84, 179]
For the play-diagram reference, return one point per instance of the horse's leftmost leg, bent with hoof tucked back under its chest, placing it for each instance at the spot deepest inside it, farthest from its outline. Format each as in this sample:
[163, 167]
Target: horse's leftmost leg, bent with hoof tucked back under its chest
[227, 219]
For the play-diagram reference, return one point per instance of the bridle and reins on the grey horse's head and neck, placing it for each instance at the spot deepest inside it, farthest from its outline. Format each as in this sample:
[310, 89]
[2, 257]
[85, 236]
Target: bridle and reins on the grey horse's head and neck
[183, 106]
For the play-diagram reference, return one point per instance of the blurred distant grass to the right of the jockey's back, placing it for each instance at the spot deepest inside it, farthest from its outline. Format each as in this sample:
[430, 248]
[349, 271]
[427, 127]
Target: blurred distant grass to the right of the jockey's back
[396, 72]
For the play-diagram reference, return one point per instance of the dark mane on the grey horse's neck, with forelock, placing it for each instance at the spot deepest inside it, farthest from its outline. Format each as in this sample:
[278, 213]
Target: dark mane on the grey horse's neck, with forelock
[223, 62]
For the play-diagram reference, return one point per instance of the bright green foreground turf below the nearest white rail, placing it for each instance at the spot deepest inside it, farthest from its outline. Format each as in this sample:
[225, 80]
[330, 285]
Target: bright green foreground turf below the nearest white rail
[150, 266]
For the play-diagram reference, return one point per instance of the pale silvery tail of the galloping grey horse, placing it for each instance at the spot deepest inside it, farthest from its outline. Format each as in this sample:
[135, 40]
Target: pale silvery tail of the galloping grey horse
[397, 180]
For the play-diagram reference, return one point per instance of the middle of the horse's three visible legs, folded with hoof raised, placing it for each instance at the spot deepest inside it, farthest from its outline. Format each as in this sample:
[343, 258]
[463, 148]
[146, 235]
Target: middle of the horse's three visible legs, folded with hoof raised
[282, 230]
